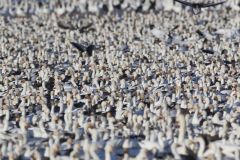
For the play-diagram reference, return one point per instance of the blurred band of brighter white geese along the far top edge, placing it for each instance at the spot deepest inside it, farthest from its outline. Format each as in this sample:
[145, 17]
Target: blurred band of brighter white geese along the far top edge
[23, 8]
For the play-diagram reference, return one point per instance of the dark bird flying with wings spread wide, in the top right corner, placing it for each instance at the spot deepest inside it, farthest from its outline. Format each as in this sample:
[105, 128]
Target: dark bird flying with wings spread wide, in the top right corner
[196, 7]
